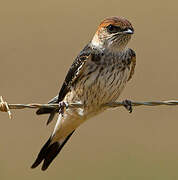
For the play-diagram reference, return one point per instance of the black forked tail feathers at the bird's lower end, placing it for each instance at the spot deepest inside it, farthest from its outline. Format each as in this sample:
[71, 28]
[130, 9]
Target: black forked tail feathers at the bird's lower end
[49, 152]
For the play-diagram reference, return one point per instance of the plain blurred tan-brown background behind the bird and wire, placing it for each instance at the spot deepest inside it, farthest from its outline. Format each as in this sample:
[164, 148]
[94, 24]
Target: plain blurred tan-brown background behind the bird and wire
[39, 39]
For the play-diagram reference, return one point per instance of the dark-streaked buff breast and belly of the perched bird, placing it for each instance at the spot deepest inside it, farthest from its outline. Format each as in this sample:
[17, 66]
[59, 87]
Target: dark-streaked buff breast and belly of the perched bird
[102, 80]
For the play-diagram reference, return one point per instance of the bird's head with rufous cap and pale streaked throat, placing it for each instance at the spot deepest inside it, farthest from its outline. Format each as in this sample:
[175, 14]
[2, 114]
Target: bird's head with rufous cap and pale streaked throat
[113, 33]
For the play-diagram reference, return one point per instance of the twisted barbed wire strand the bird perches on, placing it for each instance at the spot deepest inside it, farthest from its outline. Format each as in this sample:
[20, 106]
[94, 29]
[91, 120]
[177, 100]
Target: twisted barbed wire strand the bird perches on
[5, 107]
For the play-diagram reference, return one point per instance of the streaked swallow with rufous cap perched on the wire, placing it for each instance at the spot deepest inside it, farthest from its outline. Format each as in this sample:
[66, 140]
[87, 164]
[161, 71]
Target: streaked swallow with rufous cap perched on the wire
[97, 76]
